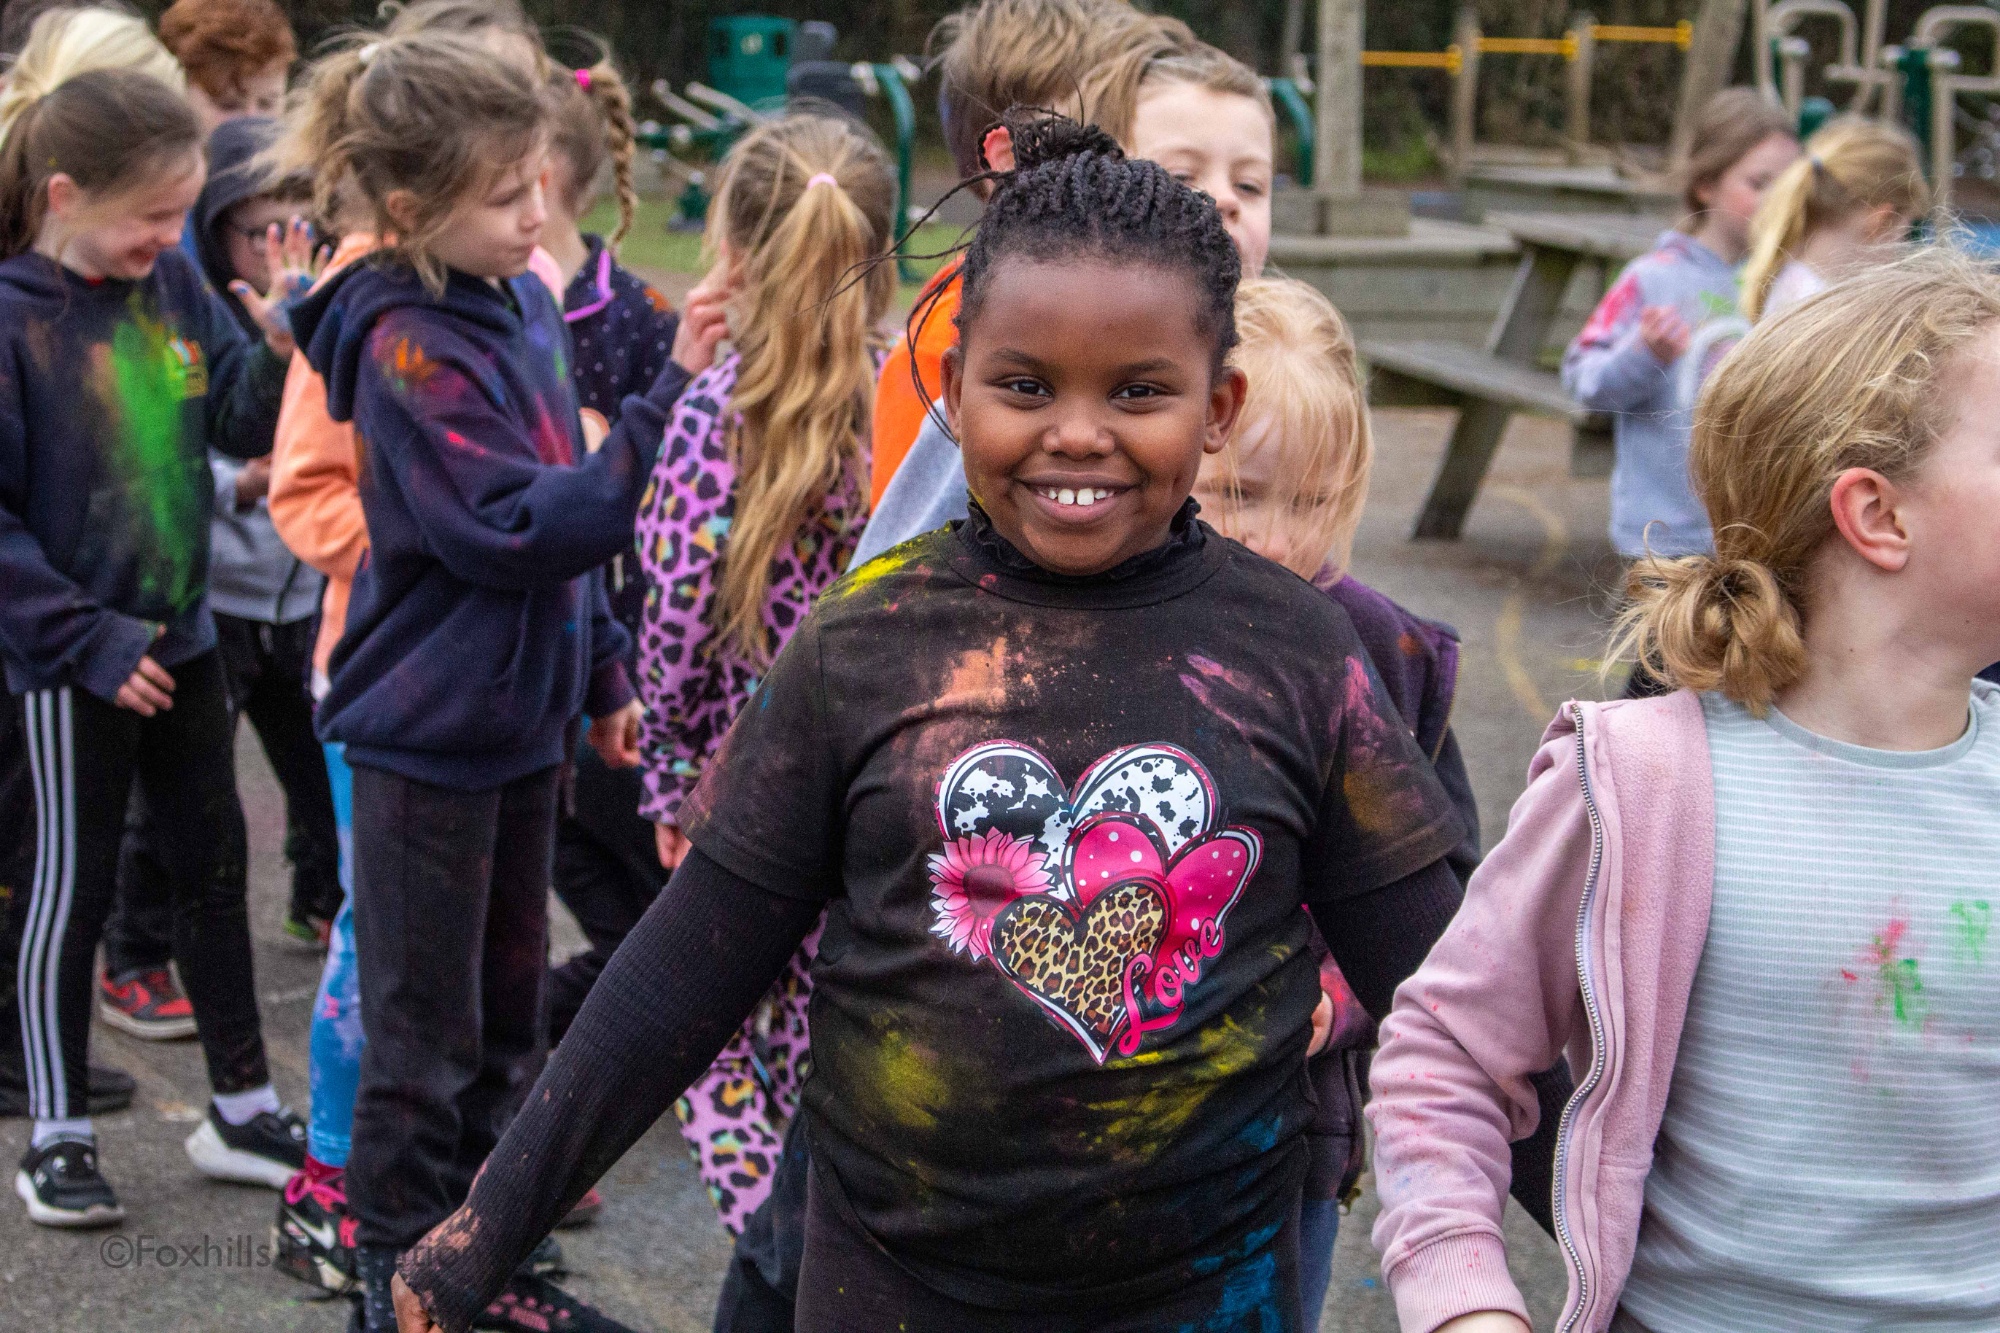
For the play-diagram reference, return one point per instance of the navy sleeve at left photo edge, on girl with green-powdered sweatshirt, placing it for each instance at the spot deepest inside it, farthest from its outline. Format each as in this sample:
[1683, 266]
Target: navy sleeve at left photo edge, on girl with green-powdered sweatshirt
[45, 617]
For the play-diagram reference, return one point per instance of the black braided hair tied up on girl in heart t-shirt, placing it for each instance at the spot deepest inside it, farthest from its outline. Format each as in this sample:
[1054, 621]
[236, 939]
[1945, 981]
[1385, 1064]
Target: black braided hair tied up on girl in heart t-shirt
[1075, 193]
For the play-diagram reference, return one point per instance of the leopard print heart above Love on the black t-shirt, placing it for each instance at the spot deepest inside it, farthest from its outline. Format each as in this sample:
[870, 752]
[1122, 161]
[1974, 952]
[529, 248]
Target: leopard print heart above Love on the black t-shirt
[1075, 964]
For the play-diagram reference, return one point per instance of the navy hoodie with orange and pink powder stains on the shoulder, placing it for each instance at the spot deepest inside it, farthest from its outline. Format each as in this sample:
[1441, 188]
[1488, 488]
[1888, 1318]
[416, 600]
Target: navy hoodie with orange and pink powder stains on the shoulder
[477, 631]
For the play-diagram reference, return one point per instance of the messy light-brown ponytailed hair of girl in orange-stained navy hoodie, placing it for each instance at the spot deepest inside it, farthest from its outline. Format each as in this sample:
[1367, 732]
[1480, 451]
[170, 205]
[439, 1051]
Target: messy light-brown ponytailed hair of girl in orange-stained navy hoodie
[431, 113]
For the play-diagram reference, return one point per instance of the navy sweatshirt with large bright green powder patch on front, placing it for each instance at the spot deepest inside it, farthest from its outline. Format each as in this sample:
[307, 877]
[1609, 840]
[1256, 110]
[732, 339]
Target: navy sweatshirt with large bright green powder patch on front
[111, 395]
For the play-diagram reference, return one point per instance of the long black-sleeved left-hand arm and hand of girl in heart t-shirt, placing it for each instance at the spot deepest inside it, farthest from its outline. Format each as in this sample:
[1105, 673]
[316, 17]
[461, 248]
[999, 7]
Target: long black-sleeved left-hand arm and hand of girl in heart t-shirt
[695, 966]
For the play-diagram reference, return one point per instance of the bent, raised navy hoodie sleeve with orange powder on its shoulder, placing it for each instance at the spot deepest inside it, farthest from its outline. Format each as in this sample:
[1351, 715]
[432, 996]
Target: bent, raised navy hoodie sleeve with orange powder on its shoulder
[493, 513]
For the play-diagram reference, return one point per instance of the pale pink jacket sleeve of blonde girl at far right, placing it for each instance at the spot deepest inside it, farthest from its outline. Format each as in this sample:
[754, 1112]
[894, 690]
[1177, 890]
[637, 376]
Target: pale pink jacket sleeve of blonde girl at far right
[1491, 1008]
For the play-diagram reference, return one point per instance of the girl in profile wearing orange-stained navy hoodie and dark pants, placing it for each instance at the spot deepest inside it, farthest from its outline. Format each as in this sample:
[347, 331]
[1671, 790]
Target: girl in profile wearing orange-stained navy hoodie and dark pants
[475, 635]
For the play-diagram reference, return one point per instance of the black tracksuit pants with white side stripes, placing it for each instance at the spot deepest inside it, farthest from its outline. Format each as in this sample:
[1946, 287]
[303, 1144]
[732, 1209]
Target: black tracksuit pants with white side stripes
[83, 760]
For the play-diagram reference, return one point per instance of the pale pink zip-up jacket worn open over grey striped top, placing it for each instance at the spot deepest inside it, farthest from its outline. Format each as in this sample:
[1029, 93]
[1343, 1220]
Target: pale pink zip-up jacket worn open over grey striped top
[1581, 934]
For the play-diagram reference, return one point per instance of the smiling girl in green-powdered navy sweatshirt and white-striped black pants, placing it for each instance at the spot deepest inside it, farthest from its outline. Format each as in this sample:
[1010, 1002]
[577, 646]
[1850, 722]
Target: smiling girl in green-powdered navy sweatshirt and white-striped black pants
[123, 371]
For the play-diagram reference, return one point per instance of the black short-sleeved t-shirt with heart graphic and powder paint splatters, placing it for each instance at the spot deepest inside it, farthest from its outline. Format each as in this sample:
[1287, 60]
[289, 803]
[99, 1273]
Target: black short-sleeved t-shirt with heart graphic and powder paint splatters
[1065, 828]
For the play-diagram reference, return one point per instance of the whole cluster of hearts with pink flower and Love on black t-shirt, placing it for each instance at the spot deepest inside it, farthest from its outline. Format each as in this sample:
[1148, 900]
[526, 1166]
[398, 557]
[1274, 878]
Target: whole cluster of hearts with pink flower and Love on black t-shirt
[1103, 902]
